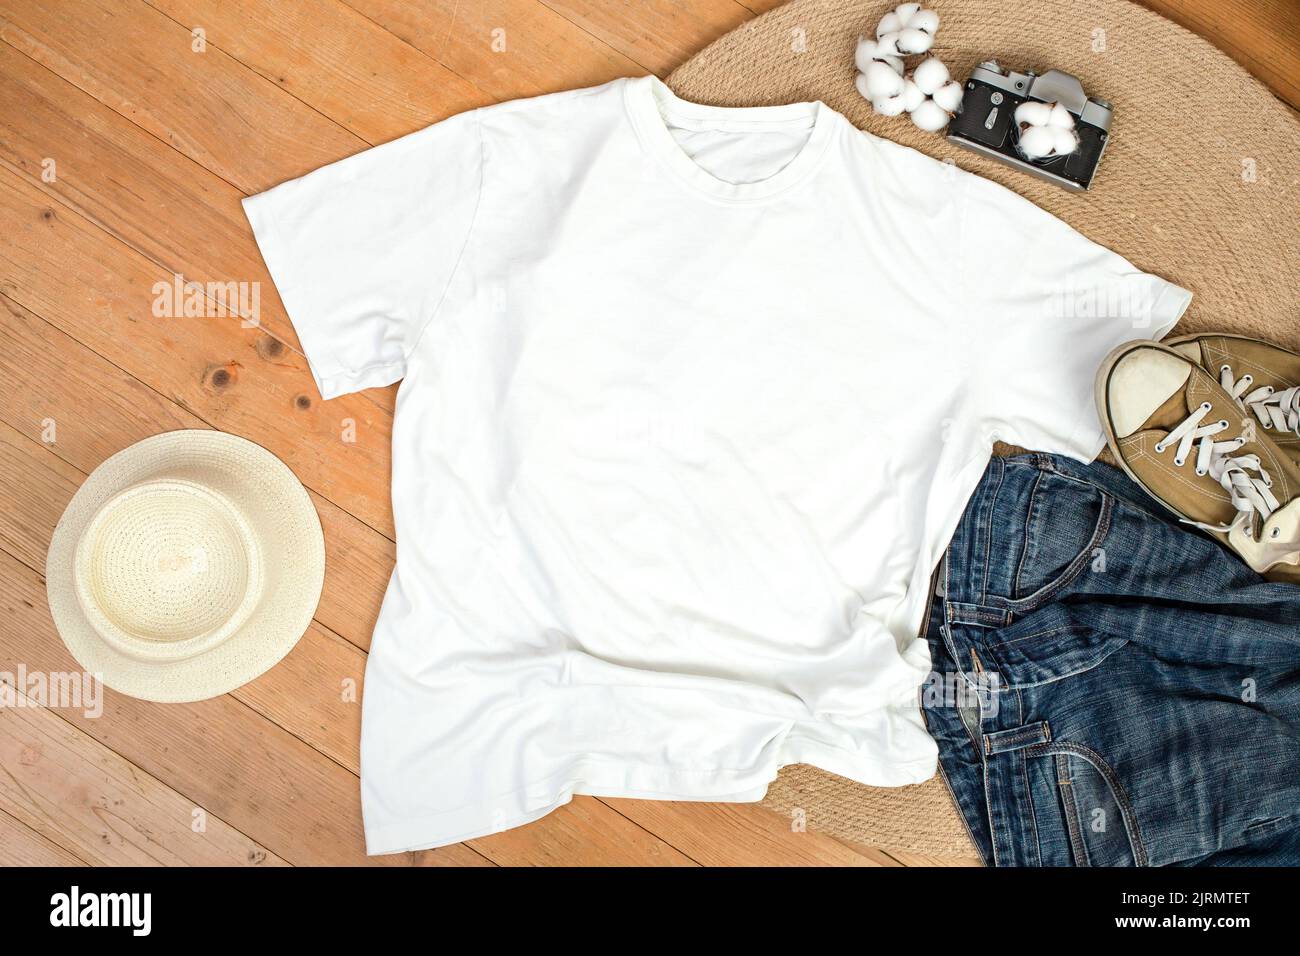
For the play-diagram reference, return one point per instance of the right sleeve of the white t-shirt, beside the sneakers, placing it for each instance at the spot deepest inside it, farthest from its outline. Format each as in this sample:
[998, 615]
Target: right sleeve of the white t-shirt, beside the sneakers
[1050, 305]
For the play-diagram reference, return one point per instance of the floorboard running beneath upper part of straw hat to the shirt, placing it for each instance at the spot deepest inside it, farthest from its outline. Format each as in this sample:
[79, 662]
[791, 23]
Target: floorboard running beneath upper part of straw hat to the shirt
[97, 410]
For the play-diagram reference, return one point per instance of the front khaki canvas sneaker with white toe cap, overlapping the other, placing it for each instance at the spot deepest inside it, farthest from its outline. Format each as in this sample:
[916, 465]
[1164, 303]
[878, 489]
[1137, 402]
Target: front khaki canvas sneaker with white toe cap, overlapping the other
[1191, 447]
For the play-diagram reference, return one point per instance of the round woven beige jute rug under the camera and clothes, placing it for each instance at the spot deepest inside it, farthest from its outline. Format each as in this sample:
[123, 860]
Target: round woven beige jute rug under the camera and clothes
[1201, 184]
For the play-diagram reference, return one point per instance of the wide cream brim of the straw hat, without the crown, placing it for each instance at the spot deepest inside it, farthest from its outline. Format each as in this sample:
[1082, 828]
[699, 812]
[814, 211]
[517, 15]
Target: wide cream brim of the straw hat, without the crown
[293, 555]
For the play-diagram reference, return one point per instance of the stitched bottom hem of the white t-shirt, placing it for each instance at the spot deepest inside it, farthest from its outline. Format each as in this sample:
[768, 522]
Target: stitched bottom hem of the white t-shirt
[640, 782]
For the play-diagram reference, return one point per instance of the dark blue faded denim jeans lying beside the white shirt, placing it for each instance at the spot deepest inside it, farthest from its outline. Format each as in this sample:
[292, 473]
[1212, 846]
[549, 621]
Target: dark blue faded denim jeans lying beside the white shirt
[1111, 687]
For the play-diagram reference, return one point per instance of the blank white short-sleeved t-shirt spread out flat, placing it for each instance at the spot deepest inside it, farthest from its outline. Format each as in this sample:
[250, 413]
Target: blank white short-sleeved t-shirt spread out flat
[694, 400]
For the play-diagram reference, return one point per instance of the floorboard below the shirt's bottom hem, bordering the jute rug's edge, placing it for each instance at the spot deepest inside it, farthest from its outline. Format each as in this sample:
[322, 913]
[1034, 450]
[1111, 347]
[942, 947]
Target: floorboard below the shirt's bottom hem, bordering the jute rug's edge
[743, 836]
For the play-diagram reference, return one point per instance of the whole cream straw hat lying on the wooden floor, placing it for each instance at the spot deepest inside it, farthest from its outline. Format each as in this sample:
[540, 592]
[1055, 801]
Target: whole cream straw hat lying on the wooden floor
[185, 566]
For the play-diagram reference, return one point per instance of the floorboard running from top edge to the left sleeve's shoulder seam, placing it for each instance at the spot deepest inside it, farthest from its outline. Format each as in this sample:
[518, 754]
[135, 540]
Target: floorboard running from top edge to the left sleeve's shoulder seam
[333, 59]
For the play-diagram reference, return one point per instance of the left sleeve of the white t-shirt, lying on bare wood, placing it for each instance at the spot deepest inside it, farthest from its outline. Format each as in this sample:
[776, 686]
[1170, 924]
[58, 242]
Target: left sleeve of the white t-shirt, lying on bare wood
[363, 250]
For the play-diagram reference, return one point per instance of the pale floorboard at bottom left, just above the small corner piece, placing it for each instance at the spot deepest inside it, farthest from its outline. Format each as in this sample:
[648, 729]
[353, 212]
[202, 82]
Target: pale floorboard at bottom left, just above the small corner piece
[86, 799]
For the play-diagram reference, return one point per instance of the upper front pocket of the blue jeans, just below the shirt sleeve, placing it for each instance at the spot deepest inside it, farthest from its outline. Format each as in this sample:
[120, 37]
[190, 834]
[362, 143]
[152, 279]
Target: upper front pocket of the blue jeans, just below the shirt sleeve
[1067, 522]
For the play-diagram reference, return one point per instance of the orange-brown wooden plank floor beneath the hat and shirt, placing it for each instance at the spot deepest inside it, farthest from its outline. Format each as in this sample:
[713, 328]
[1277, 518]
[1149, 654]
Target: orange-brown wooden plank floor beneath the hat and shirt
[127, 142]
